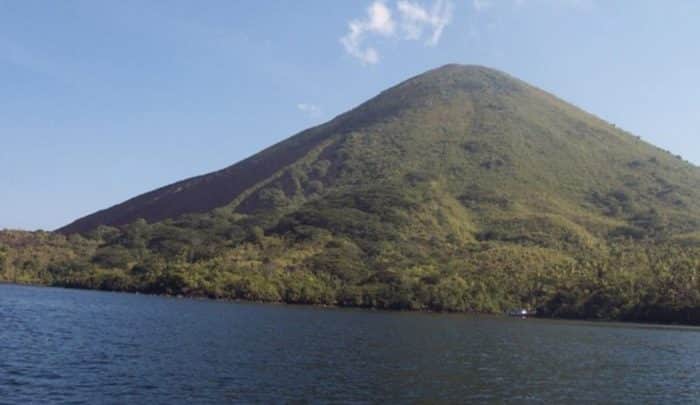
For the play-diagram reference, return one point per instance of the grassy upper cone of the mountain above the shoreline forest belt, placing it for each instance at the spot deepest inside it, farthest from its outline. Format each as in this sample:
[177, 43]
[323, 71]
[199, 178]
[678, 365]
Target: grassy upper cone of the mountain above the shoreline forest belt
[499, 151]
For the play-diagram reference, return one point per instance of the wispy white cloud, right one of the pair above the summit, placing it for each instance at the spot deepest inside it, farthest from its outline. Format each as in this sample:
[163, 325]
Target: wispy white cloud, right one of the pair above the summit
[415, 19]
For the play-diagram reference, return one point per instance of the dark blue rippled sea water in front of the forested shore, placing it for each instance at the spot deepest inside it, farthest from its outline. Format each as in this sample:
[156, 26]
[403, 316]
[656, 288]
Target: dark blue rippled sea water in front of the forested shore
[91, 347]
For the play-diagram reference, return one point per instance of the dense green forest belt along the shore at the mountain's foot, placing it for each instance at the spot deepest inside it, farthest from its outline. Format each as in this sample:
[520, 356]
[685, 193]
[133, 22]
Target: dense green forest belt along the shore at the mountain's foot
[367, 255]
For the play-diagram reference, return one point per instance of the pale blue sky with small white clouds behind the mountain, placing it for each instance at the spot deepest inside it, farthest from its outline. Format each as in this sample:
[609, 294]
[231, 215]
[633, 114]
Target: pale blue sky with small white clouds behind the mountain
[104, 100]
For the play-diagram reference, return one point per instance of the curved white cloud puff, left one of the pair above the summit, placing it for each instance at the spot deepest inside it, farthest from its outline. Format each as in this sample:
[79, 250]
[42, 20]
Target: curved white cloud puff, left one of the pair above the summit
[378, 21]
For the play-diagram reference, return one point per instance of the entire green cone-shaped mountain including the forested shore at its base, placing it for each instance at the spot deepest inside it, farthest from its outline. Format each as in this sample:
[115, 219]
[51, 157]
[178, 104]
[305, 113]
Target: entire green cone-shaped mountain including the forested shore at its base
[462, 189]
